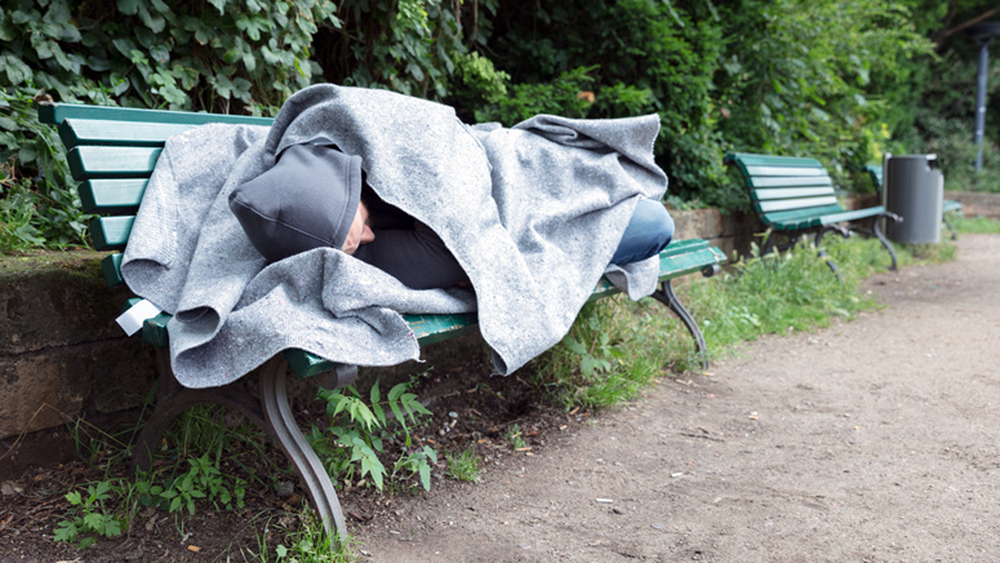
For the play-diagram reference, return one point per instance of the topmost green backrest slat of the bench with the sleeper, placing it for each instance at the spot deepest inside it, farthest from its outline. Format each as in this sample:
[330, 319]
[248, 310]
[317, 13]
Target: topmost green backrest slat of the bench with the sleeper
[54, 114]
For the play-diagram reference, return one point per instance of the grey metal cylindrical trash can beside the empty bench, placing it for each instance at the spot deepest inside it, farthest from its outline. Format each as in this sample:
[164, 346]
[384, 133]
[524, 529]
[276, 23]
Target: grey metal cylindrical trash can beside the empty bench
[914, 190]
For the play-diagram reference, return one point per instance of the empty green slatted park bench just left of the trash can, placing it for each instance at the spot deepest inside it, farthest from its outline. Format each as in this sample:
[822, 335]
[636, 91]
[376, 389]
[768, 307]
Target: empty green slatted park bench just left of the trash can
[794, 196]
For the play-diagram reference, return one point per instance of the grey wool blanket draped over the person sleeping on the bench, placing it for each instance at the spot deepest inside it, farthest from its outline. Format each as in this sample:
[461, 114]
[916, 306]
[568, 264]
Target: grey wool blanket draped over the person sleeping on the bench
[533, 213]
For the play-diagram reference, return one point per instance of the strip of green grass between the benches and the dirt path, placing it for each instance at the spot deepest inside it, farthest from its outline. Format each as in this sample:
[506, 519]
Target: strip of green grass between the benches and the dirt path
[617, 348]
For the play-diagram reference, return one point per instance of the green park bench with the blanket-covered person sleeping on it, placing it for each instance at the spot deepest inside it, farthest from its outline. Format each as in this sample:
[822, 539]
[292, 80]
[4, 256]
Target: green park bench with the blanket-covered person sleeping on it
[112, 152]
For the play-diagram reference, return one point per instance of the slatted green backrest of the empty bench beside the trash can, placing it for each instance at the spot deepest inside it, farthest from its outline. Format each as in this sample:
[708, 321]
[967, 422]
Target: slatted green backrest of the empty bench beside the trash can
[784, 188]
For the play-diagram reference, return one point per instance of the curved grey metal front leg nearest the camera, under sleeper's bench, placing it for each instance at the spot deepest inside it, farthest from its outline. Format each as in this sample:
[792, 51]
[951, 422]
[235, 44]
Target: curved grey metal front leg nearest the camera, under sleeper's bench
[287, 435]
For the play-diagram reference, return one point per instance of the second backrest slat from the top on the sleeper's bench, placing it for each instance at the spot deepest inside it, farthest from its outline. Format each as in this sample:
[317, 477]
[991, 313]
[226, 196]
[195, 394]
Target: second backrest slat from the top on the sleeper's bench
[76, 132]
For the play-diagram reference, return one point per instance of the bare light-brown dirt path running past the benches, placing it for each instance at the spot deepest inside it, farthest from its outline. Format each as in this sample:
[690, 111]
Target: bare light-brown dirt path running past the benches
[873, 440]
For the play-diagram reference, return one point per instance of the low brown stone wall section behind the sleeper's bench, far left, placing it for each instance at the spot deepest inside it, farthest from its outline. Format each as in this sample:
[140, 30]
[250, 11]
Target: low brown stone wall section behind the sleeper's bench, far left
[61, 353]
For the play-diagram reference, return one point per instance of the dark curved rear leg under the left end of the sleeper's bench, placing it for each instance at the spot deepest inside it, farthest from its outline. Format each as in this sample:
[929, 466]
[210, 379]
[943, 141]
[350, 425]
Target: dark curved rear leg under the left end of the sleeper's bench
[172, 399]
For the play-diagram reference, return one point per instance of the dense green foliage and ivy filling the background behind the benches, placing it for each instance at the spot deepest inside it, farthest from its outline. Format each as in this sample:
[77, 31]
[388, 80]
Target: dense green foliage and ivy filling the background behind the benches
[840, 81]
